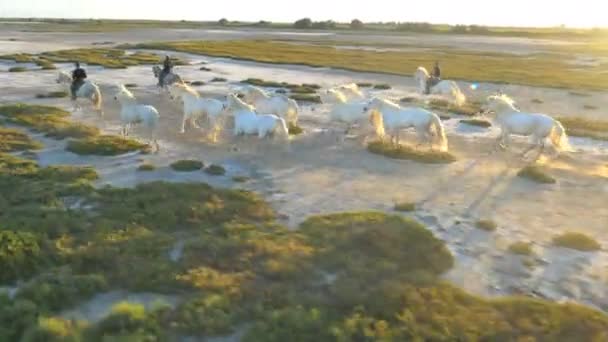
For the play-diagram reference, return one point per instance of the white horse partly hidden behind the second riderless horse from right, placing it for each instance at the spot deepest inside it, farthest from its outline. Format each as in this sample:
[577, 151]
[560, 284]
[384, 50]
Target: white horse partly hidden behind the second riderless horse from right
[350, 113]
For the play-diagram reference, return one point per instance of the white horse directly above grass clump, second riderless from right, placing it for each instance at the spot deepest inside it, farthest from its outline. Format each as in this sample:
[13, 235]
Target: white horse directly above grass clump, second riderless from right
[393, 118]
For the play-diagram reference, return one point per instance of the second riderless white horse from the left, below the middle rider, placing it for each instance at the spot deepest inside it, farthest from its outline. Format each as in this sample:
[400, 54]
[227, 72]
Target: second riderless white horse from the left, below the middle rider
[196, 107]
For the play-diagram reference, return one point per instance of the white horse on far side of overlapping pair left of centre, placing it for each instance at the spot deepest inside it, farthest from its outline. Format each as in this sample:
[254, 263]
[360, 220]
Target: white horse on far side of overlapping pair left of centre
[277, 104]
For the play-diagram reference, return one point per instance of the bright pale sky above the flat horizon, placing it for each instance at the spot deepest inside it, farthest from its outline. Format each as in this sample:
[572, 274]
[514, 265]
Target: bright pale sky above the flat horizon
[572, 13]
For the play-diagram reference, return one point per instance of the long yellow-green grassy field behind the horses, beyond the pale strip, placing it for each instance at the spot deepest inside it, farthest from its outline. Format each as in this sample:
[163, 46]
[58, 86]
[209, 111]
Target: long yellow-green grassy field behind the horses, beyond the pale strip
[548, 70]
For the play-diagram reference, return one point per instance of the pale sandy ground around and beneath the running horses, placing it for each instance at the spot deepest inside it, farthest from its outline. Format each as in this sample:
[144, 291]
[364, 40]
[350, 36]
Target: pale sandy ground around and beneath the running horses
[320, 175]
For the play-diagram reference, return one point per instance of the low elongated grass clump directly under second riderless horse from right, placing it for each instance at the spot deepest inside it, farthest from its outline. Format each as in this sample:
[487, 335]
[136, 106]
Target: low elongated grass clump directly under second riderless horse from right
[408, 153]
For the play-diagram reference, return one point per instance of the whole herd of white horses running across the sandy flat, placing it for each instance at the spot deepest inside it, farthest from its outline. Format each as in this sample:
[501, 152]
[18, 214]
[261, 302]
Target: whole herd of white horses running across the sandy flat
[255, 111]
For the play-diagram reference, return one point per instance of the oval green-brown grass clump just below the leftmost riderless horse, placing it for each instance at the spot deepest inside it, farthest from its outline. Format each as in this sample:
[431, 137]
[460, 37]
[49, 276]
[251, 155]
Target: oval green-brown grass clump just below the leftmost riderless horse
[106, 145]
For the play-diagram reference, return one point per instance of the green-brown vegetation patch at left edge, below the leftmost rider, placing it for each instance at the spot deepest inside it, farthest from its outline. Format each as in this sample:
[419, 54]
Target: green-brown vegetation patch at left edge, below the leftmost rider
[52, 121]
